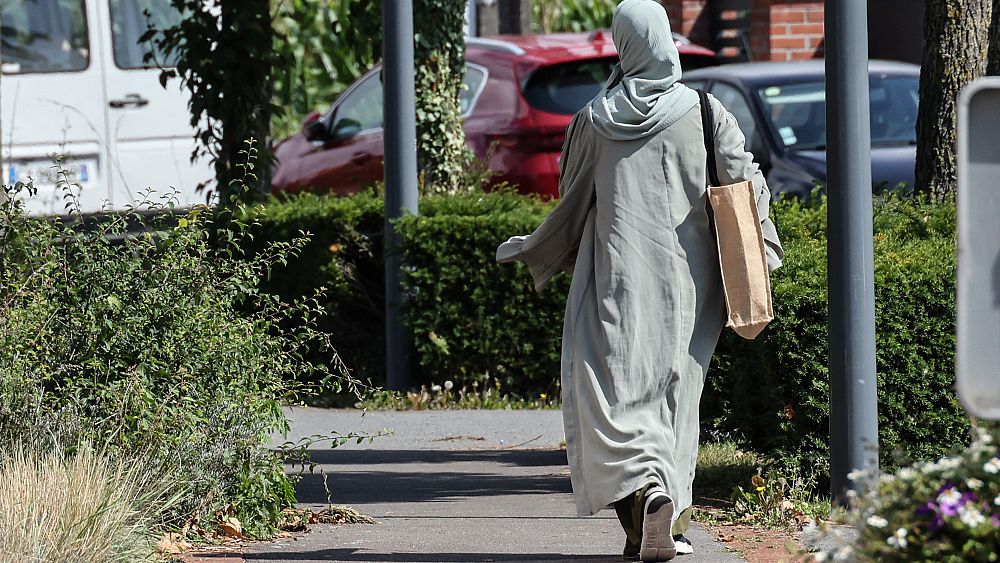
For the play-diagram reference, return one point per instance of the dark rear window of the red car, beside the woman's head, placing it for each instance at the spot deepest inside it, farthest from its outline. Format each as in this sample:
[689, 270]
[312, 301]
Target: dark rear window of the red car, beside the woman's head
[565, 88]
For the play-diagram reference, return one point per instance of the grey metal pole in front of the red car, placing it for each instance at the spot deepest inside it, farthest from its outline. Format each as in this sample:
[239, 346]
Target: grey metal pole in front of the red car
[400, 178]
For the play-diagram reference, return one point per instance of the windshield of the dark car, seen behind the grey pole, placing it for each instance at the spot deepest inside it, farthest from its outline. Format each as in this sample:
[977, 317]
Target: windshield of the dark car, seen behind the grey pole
[798, 112]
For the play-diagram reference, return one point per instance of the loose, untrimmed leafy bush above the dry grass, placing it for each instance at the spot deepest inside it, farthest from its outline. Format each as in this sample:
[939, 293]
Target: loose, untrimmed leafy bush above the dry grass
[156, 346]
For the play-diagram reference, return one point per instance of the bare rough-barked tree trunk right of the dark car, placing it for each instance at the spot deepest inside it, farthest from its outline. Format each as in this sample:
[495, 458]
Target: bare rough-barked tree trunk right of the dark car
[955, 46]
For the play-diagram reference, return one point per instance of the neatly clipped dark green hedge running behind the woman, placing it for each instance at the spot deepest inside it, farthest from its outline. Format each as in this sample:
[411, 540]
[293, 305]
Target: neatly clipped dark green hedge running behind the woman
[472, 318]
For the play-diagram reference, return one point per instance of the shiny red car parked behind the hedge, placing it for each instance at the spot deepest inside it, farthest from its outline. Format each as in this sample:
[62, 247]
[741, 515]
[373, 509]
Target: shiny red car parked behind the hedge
[520, 93]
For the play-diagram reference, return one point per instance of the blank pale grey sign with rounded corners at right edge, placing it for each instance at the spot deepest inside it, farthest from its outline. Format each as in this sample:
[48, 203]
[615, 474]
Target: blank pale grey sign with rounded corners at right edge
[979, 248]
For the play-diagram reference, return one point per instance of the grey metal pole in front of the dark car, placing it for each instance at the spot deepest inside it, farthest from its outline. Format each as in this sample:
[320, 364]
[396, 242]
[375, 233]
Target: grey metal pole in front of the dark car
[853, 398]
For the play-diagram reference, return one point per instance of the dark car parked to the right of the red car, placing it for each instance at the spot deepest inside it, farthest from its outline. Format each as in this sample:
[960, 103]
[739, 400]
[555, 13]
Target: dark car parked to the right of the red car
[781, 109]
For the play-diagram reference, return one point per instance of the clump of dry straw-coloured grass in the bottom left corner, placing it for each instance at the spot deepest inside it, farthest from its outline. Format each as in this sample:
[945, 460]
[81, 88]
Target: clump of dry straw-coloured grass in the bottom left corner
[82, 508]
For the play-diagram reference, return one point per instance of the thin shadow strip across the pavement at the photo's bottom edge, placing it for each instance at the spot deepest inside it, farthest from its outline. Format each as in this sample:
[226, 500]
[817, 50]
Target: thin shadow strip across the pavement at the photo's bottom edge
[348, 554]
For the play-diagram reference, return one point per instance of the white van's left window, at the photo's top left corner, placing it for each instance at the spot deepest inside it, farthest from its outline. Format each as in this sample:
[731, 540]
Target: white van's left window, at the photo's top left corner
[44, 36]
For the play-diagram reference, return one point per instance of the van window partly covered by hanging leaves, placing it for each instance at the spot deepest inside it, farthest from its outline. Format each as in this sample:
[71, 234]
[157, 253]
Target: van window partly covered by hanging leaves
[129, 20]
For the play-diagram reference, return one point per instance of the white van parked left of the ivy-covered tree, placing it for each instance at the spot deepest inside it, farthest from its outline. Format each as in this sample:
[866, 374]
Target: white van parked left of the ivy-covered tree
[74, 83]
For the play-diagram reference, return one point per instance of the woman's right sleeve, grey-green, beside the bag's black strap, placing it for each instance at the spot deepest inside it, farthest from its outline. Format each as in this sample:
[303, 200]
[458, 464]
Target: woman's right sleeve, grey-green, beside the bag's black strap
[736, 164]
